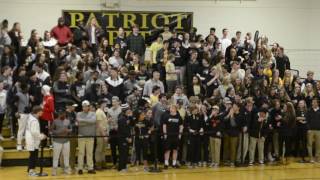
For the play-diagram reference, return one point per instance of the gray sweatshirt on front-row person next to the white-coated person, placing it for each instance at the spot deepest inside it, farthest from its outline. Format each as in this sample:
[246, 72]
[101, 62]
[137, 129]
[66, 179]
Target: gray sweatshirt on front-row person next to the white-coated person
[59, 128]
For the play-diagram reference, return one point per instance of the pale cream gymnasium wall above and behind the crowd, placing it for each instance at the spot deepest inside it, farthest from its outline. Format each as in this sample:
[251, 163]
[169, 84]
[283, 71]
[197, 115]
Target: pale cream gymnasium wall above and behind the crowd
[286, 21]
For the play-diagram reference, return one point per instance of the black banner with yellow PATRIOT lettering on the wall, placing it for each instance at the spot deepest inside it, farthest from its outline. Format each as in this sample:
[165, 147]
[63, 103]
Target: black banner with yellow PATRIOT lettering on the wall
[150, 23]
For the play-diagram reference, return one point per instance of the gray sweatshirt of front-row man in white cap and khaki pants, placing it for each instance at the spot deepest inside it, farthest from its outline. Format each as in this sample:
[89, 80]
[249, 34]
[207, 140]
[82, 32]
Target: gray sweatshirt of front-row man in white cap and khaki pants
[87, 123]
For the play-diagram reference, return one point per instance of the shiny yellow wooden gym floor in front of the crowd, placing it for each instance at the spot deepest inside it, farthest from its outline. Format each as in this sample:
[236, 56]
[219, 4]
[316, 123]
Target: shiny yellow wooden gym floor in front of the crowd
[293, 171]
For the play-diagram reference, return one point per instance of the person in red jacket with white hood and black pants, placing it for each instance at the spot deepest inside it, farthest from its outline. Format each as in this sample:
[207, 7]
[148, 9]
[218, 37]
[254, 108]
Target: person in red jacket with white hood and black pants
[48, 109]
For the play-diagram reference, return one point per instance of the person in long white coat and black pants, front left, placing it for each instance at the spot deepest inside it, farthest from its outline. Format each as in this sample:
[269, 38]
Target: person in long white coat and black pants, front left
[33, 138]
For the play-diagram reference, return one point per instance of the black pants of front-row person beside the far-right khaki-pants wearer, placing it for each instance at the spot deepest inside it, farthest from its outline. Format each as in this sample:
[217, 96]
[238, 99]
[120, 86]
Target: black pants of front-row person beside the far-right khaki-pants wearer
[301, 142]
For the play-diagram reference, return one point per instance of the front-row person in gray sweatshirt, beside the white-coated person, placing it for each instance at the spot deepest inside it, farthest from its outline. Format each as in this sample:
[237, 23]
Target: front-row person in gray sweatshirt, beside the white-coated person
[61, 127]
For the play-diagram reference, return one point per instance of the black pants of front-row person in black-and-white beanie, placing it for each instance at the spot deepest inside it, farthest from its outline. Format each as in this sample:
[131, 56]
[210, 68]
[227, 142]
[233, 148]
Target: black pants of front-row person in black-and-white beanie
[123, 153]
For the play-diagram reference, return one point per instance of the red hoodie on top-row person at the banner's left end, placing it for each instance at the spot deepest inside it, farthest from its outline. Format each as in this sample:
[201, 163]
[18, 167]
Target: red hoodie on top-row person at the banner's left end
[62, 34]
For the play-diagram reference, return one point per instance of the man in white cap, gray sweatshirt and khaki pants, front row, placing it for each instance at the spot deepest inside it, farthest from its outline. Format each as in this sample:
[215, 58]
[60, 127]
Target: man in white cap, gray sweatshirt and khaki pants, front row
[87, 127]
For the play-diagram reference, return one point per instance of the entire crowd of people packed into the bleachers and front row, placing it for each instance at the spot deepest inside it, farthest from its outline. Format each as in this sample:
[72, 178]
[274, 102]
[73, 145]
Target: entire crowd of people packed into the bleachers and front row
[203, 100]
